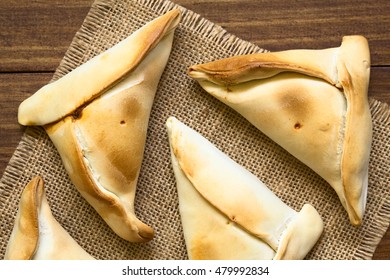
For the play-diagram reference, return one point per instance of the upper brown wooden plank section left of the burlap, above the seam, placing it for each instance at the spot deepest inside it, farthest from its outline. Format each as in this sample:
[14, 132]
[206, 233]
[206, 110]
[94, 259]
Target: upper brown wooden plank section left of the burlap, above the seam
[35, 34]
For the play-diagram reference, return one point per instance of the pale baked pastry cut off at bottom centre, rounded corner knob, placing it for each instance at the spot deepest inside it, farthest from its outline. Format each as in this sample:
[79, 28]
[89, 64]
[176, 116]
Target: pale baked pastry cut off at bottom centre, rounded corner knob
[227, 212]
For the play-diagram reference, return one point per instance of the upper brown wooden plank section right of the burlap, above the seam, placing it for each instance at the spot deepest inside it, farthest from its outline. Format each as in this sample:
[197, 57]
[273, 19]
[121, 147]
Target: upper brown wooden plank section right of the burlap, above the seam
[281, 25]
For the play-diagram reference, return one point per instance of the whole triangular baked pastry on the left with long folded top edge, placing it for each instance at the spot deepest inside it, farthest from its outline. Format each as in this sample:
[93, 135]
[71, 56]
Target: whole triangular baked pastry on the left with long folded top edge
[97, 117]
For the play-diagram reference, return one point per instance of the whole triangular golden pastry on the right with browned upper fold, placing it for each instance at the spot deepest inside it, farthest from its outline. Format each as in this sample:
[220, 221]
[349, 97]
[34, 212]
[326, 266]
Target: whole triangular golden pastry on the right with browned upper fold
[313, 103]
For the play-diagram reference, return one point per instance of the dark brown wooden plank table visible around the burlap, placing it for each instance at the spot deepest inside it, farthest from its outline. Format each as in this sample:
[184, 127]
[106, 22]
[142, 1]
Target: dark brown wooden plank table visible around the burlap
[34, 36]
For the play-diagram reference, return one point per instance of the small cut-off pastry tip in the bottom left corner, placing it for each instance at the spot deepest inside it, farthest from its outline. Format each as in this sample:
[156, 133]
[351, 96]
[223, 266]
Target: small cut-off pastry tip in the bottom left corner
[37, 234]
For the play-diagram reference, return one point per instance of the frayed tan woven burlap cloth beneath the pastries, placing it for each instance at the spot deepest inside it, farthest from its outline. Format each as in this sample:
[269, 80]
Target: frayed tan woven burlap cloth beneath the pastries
[196, 41]
